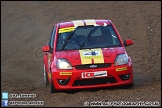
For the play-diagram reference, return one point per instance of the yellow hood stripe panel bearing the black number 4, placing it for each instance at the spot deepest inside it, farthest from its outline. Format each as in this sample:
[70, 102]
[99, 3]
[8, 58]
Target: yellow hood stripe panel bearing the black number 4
[91, 56]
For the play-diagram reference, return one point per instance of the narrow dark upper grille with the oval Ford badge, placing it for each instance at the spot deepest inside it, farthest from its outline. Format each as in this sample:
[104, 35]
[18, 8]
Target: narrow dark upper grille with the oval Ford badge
[88, 66]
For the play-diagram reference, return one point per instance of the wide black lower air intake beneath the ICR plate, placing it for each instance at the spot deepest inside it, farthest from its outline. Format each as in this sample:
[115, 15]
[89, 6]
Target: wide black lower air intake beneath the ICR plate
[94, 81]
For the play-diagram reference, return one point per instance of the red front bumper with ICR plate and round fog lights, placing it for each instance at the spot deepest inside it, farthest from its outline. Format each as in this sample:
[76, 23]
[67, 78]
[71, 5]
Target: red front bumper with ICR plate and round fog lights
[73, 79]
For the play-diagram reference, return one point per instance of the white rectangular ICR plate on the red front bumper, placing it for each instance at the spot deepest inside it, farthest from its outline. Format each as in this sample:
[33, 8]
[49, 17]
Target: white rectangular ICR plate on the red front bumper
[94, 74]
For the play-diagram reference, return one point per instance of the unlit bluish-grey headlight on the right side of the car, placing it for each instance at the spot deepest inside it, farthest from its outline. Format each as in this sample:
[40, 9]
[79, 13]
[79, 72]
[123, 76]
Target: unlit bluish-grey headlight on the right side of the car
[121, 59]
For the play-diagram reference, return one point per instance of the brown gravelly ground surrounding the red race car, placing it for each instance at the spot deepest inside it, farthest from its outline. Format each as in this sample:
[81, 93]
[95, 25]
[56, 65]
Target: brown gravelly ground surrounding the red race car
[26, 27]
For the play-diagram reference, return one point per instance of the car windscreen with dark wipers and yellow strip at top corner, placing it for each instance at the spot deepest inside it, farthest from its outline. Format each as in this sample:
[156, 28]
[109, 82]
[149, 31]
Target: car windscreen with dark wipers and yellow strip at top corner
[87, 37]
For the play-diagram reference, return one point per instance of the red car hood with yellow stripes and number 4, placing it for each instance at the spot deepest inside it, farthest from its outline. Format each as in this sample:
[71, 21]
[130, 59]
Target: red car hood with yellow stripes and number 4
[91, 56]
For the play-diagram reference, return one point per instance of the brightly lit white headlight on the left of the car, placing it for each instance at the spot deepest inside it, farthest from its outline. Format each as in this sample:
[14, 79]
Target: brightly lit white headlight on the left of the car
[63, 64]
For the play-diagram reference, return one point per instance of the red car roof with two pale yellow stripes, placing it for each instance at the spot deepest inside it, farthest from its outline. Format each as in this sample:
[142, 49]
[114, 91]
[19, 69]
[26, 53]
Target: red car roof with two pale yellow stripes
[85, 22]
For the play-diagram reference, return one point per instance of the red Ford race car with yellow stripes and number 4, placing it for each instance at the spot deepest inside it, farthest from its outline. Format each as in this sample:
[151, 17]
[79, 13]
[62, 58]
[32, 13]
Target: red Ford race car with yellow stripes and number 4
[86, 54]
